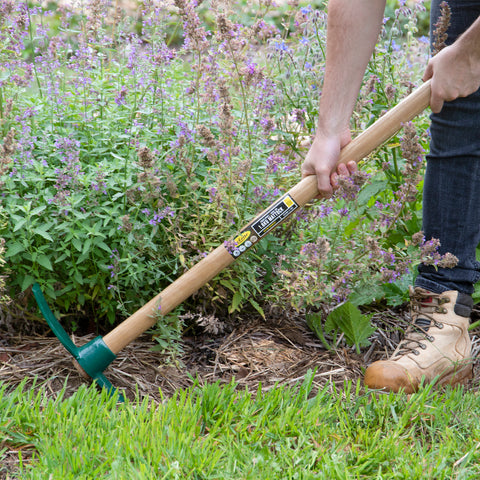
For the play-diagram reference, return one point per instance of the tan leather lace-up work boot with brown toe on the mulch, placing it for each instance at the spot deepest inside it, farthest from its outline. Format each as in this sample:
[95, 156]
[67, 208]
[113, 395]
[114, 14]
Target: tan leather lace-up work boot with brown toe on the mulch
[436, 347]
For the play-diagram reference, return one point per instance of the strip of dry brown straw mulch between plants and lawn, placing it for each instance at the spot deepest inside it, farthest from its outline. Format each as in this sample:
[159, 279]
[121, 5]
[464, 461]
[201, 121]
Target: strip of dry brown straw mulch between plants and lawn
[257, 351]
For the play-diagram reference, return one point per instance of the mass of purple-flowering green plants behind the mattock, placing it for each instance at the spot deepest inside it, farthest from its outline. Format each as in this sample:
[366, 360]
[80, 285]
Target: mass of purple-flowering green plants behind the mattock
[129, 152]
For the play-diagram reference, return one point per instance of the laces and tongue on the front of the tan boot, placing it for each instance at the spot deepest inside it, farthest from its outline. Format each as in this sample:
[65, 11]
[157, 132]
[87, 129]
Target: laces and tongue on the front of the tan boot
[422, 307]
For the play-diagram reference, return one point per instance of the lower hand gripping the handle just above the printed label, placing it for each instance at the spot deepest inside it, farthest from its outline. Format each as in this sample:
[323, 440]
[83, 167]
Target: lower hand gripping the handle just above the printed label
[321, 160]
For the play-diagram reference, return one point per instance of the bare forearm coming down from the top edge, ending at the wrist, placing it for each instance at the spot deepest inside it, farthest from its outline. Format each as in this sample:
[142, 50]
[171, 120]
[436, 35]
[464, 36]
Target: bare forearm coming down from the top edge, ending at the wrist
[353, 28]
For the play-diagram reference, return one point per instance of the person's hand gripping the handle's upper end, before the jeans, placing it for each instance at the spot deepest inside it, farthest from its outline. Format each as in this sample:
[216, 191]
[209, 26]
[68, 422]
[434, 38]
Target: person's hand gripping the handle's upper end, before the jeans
[455, 72]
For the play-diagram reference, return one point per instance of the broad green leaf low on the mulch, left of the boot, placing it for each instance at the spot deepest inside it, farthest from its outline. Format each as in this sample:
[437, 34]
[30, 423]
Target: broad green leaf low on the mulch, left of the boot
[352, 323]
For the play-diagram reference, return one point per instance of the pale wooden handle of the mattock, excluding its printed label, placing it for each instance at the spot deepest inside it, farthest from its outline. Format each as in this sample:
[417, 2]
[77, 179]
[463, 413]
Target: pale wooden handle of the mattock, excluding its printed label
[301, 193]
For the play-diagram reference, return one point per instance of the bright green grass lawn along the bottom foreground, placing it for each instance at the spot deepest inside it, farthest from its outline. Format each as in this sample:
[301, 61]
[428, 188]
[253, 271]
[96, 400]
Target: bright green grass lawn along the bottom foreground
[220, 432]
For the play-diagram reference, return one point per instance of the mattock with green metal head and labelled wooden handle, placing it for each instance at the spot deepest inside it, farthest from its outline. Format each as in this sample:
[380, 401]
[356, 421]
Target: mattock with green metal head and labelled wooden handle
[95, 356]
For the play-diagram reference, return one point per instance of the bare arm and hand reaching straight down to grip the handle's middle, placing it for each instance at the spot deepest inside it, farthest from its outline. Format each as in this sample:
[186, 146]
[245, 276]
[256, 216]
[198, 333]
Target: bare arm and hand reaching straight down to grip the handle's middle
[352, 31]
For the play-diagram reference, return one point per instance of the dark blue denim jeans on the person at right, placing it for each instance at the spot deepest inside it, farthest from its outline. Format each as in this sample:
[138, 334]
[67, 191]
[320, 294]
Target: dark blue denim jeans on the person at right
[451, 196]
